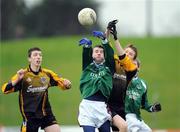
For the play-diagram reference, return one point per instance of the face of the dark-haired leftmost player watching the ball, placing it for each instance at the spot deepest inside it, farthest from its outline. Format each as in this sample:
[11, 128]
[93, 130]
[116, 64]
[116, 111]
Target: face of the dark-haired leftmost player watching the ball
[36, 58]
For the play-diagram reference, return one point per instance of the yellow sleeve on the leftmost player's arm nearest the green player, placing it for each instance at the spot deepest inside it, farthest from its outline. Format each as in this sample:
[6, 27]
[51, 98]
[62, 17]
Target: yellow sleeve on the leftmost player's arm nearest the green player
[58, 79]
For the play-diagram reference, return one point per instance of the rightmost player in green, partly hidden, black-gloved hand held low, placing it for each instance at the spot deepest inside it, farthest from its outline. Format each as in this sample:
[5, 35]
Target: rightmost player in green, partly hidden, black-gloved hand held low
[136, 98]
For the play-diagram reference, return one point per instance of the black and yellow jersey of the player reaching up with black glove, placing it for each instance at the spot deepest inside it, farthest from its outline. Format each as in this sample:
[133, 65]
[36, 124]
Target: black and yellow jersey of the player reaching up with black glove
[125, 71]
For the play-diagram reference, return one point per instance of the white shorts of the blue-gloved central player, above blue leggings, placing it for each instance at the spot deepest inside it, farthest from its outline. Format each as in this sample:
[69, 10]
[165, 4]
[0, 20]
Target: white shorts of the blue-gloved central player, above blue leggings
[93, 113]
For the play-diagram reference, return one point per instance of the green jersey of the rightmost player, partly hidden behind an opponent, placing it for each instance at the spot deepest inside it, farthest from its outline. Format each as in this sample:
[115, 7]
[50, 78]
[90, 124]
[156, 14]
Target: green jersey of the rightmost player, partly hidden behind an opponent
[136, 97]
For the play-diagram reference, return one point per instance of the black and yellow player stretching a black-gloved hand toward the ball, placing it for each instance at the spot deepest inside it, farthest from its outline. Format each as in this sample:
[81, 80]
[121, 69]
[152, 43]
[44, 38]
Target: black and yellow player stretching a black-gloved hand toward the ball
[125, 69]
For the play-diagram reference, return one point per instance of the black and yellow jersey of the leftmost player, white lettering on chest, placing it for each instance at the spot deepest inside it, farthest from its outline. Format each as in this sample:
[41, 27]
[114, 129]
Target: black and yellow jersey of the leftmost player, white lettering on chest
[33, 91]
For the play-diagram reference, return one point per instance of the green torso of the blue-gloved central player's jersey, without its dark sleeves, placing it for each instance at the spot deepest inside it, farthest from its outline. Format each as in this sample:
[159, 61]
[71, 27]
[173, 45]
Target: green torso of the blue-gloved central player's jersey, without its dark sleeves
[94, 79]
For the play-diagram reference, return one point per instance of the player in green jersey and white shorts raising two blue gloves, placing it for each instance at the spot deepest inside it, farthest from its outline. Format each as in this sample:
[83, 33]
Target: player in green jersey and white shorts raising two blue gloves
[96, 84]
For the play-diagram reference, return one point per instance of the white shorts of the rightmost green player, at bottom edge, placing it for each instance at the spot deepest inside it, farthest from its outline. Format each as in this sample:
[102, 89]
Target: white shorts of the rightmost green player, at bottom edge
[135, 125]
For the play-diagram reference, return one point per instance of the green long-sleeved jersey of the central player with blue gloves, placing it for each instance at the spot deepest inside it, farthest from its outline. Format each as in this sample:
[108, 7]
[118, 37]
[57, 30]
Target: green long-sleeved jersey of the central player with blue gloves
[95, 77]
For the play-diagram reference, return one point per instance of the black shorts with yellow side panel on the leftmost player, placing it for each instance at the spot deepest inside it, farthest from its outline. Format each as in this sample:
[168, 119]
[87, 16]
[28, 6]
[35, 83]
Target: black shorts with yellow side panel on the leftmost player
[32, 125]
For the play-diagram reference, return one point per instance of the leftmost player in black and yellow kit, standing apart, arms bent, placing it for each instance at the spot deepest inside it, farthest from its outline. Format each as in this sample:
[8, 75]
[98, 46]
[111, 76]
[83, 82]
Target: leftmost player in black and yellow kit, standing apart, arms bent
[33, 83]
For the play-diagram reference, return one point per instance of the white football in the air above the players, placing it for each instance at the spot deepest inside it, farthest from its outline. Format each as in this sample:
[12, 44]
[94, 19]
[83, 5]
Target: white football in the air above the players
[87, 17]
